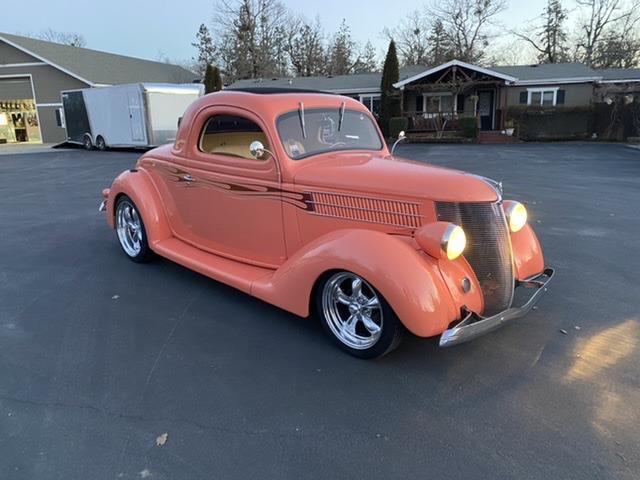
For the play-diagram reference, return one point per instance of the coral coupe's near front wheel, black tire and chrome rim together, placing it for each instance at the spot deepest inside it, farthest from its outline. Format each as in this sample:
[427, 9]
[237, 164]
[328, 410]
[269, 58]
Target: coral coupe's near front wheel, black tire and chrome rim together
[357, 316]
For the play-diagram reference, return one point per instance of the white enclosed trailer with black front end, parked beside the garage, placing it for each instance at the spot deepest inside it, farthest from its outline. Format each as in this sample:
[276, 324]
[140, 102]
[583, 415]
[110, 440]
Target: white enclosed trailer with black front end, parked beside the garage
[139, 115]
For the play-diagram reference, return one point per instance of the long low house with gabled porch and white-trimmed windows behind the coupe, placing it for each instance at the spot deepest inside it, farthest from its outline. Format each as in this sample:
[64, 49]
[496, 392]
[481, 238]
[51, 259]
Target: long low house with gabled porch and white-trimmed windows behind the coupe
[435, 98]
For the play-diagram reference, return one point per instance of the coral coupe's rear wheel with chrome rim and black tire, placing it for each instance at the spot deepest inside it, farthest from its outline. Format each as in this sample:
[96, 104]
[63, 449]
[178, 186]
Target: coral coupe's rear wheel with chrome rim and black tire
[133, 240]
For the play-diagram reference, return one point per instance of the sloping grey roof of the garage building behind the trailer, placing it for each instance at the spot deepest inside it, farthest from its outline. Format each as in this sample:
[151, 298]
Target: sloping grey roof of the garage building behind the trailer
[94, 67]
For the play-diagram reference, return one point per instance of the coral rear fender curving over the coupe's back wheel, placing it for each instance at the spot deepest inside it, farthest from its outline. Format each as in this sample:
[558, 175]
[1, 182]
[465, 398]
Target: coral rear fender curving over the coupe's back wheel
[138, 186]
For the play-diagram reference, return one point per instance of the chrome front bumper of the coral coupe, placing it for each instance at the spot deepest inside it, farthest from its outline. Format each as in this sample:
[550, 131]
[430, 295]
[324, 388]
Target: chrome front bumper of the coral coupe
[473, 325]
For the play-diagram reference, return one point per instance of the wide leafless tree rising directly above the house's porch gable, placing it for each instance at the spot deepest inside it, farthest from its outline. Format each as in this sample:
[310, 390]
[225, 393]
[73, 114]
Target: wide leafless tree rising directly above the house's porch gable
[466, 25]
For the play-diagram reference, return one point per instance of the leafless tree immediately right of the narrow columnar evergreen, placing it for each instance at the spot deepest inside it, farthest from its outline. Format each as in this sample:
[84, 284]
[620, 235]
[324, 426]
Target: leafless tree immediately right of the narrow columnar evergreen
[411, 37]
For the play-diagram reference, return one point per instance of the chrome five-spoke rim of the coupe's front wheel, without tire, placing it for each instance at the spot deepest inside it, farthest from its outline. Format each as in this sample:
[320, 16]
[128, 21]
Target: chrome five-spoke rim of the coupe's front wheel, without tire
[352, 310]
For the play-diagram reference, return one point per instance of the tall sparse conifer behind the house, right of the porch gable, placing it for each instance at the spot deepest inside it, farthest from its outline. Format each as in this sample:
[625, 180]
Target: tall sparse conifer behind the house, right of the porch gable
[548, 37]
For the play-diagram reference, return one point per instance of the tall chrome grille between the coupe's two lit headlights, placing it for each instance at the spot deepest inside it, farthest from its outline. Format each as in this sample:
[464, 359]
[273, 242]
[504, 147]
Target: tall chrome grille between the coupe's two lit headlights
[488, 249]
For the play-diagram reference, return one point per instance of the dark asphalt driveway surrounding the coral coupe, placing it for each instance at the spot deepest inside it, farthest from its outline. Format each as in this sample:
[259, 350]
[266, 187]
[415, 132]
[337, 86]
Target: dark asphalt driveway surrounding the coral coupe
[99, 356]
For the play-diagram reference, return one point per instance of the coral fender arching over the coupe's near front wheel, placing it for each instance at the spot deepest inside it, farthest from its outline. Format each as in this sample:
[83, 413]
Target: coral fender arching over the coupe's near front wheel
[408, 279]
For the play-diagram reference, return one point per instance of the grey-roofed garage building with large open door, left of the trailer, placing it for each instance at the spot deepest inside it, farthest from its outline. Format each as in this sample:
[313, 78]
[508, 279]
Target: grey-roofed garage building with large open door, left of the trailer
[34, 72]
